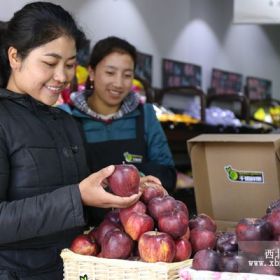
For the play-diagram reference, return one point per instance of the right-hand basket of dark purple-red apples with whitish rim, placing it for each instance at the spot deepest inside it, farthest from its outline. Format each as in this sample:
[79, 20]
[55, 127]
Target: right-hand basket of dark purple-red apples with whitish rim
[251, 251]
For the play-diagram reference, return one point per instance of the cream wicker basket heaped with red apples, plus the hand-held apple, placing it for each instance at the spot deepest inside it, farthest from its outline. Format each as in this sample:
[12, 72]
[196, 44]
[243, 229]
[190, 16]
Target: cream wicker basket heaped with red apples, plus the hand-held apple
[148, 240]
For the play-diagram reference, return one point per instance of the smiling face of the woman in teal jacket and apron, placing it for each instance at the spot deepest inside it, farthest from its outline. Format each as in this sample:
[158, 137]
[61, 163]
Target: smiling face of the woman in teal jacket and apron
[112, 78]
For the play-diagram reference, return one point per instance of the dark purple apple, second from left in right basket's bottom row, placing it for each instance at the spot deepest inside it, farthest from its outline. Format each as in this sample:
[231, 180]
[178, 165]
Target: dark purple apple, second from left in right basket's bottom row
[233, 262]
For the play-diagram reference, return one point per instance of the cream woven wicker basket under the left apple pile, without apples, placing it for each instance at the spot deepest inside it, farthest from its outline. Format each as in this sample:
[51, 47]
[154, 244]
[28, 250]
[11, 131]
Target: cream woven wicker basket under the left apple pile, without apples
[79, 267]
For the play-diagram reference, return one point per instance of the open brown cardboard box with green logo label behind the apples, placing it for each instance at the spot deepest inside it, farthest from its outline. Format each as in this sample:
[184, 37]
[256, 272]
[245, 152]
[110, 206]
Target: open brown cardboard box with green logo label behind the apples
[235, 175]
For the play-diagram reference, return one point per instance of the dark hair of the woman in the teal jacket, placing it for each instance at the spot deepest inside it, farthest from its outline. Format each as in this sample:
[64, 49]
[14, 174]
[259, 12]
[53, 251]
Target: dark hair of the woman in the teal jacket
[108, 45]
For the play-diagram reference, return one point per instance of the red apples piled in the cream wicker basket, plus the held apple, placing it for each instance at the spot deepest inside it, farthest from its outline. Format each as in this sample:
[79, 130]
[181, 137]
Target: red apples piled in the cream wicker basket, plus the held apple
[155, 229]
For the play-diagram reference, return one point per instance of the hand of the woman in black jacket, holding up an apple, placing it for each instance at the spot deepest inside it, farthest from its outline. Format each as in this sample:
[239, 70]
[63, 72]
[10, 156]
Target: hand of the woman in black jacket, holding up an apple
[93, 193]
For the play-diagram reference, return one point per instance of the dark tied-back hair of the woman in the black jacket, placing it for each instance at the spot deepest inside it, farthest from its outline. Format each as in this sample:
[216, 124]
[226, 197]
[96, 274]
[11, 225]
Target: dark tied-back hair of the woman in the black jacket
[34, 25]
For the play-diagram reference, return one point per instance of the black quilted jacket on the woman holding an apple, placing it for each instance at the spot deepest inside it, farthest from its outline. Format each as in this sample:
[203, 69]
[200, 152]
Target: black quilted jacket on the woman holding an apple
[41, 163]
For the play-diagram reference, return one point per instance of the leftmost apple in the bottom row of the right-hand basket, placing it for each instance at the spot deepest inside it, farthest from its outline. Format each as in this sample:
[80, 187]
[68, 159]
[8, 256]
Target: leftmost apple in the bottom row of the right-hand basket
[206, 259]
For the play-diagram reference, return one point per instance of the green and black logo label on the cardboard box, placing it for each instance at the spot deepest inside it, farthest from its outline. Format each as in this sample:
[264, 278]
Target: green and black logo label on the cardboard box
[242, 176]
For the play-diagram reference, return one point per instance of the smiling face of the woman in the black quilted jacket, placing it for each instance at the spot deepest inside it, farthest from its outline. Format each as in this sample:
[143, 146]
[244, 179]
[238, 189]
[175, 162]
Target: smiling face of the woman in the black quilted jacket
[46, 70]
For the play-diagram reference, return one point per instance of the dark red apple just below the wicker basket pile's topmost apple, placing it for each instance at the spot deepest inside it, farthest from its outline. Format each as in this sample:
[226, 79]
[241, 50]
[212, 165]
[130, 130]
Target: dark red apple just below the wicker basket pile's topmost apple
[160, 205]
